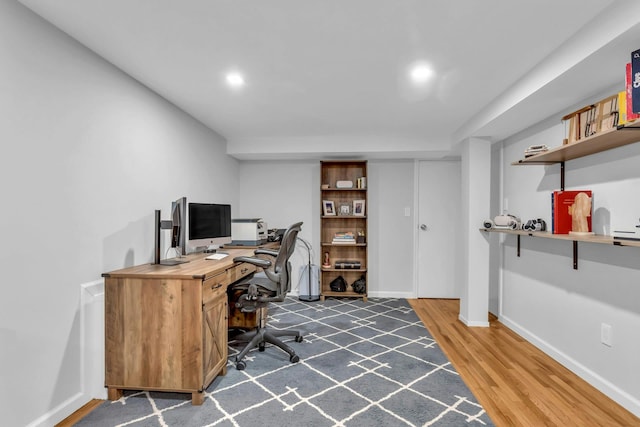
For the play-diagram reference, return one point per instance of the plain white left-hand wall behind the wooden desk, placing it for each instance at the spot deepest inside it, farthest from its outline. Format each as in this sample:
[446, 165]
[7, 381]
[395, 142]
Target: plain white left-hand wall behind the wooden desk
[88, 154]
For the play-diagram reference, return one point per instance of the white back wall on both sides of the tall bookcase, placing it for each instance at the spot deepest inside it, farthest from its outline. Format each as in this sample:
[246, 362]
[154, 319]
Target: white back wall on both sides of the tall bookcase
[282, 192]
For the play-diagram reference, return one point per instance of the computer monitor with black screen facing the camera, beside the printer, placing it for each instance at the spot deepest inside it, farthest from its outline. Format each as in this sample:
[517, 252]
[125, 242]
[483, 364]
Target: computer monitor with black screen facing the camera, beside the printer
[209, 225]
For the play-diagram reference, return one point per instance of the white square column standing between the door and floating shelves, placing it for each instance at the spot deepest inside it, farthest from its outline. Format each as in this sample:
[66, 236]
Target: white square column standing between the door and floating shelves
[476, 186]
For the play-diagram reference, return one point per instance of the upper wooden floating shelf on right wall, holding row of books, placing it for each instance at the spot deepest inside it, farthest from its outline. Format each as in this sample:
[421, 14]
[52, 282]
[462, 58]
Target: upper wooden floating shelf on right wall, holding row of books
[602, 141]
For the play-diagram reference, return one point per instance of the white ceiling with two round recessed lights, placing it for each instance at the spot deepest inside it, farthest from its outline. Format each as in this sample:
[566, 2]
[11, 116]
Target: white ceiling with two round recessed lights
[329, 78]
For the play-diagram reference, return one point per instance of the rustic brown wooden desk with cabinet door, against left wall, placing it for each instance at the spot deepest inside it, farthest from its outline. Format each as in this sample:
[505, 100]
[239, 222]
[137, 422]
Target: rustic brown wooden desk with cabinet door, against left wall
[166, 326]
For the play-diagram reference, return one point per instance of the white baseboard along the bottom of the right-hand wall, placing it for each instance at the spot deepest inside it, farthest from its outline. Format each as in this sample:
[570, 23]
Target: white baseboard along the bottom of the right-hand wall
[608, 388]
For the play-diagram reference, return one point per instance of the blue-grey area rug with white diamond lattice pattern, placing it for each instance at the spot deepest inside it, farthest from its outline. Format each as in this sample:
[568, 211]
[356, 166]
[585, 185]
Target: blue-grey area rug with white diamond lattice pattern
[362, 364]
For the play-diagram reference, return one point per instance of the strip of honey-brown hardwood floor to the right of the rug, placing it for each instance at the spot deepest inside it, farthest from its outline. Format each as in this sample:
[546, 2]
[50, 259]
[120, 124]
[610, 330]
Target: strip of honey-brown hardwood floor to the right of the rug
[517, 384]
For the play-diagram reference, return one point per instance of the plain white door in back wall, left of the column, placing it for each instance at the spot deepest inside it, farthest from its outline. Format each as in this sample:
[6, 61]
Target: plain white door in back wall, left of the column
[439, 206]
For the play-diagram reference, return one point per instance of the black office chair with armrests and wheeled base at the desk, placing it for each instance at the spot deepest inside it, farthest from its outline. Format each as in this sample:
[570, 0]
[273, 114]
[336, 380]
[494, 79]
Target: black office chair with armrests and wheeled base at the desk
[271, 285]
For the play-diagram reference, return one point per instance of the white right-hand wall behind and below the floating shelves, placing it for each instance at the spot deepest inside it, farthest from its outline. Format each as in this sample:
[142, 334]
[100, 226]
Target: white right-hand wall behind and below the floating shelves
[558, 308]
